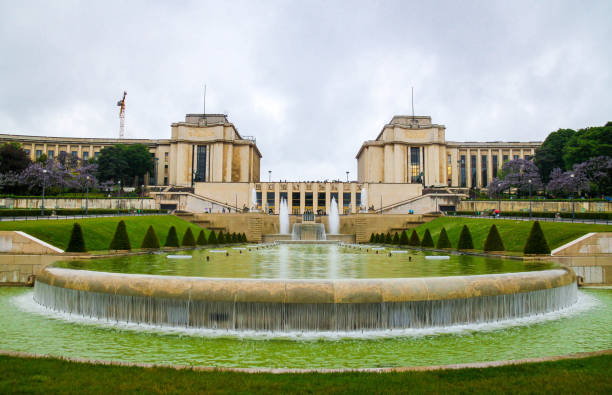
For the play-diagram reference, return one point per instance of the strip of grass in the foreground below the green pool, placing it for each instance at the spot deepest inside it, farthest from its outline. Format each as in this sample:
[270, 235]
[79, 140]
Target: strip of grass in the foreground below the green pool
[589, 375]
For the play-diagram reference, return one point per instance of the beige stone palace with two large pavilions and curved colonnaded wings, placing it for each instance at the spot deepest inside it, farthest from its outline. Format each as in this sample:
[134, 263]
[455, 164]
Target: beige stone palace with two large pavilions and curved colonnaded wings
[218, 169]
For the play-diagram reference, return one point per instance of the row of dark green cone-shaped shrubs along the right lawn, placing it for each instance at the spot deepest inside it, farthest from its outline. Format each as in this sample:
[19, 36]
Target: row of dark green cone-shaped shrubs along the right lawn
[536, 242]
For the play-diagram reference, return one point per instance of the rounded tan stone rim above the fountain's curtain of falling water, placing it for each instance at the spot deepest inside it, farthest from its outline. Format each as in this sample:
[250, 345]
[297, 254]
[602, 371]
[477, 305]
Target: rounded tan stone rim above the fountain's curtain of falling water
[306, 291]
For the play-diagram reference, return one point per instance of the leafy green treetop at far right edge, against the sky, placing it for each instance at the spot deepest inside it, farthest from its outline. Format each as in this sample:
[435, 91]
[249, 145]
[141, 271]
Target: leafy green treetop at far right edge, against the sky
[586, 144]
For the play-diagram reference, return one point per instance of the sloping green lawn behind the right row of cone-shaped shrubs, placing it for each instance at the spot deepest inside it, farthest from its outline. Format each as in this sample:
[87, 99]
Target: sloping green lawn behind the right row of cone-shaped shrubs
[514, 233]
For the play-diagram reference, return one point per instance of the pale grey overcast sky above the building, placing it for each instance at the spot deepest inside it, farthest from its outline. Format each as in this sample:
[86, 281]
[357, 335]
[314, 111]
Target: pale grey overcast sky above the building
[310, 80]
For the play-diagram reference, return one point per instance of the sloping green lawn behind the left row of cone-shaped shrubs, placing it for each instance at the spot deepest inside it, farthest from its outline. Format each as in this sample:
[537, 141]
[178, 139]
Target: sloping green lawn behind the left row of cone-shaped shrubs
[98, 232]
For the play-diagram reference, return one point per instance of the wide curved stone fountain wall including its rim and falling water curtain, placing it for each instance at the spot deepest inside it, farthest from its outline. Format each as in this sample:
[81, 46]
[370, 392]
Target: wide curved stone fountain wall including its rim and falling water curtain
[305, 305]
